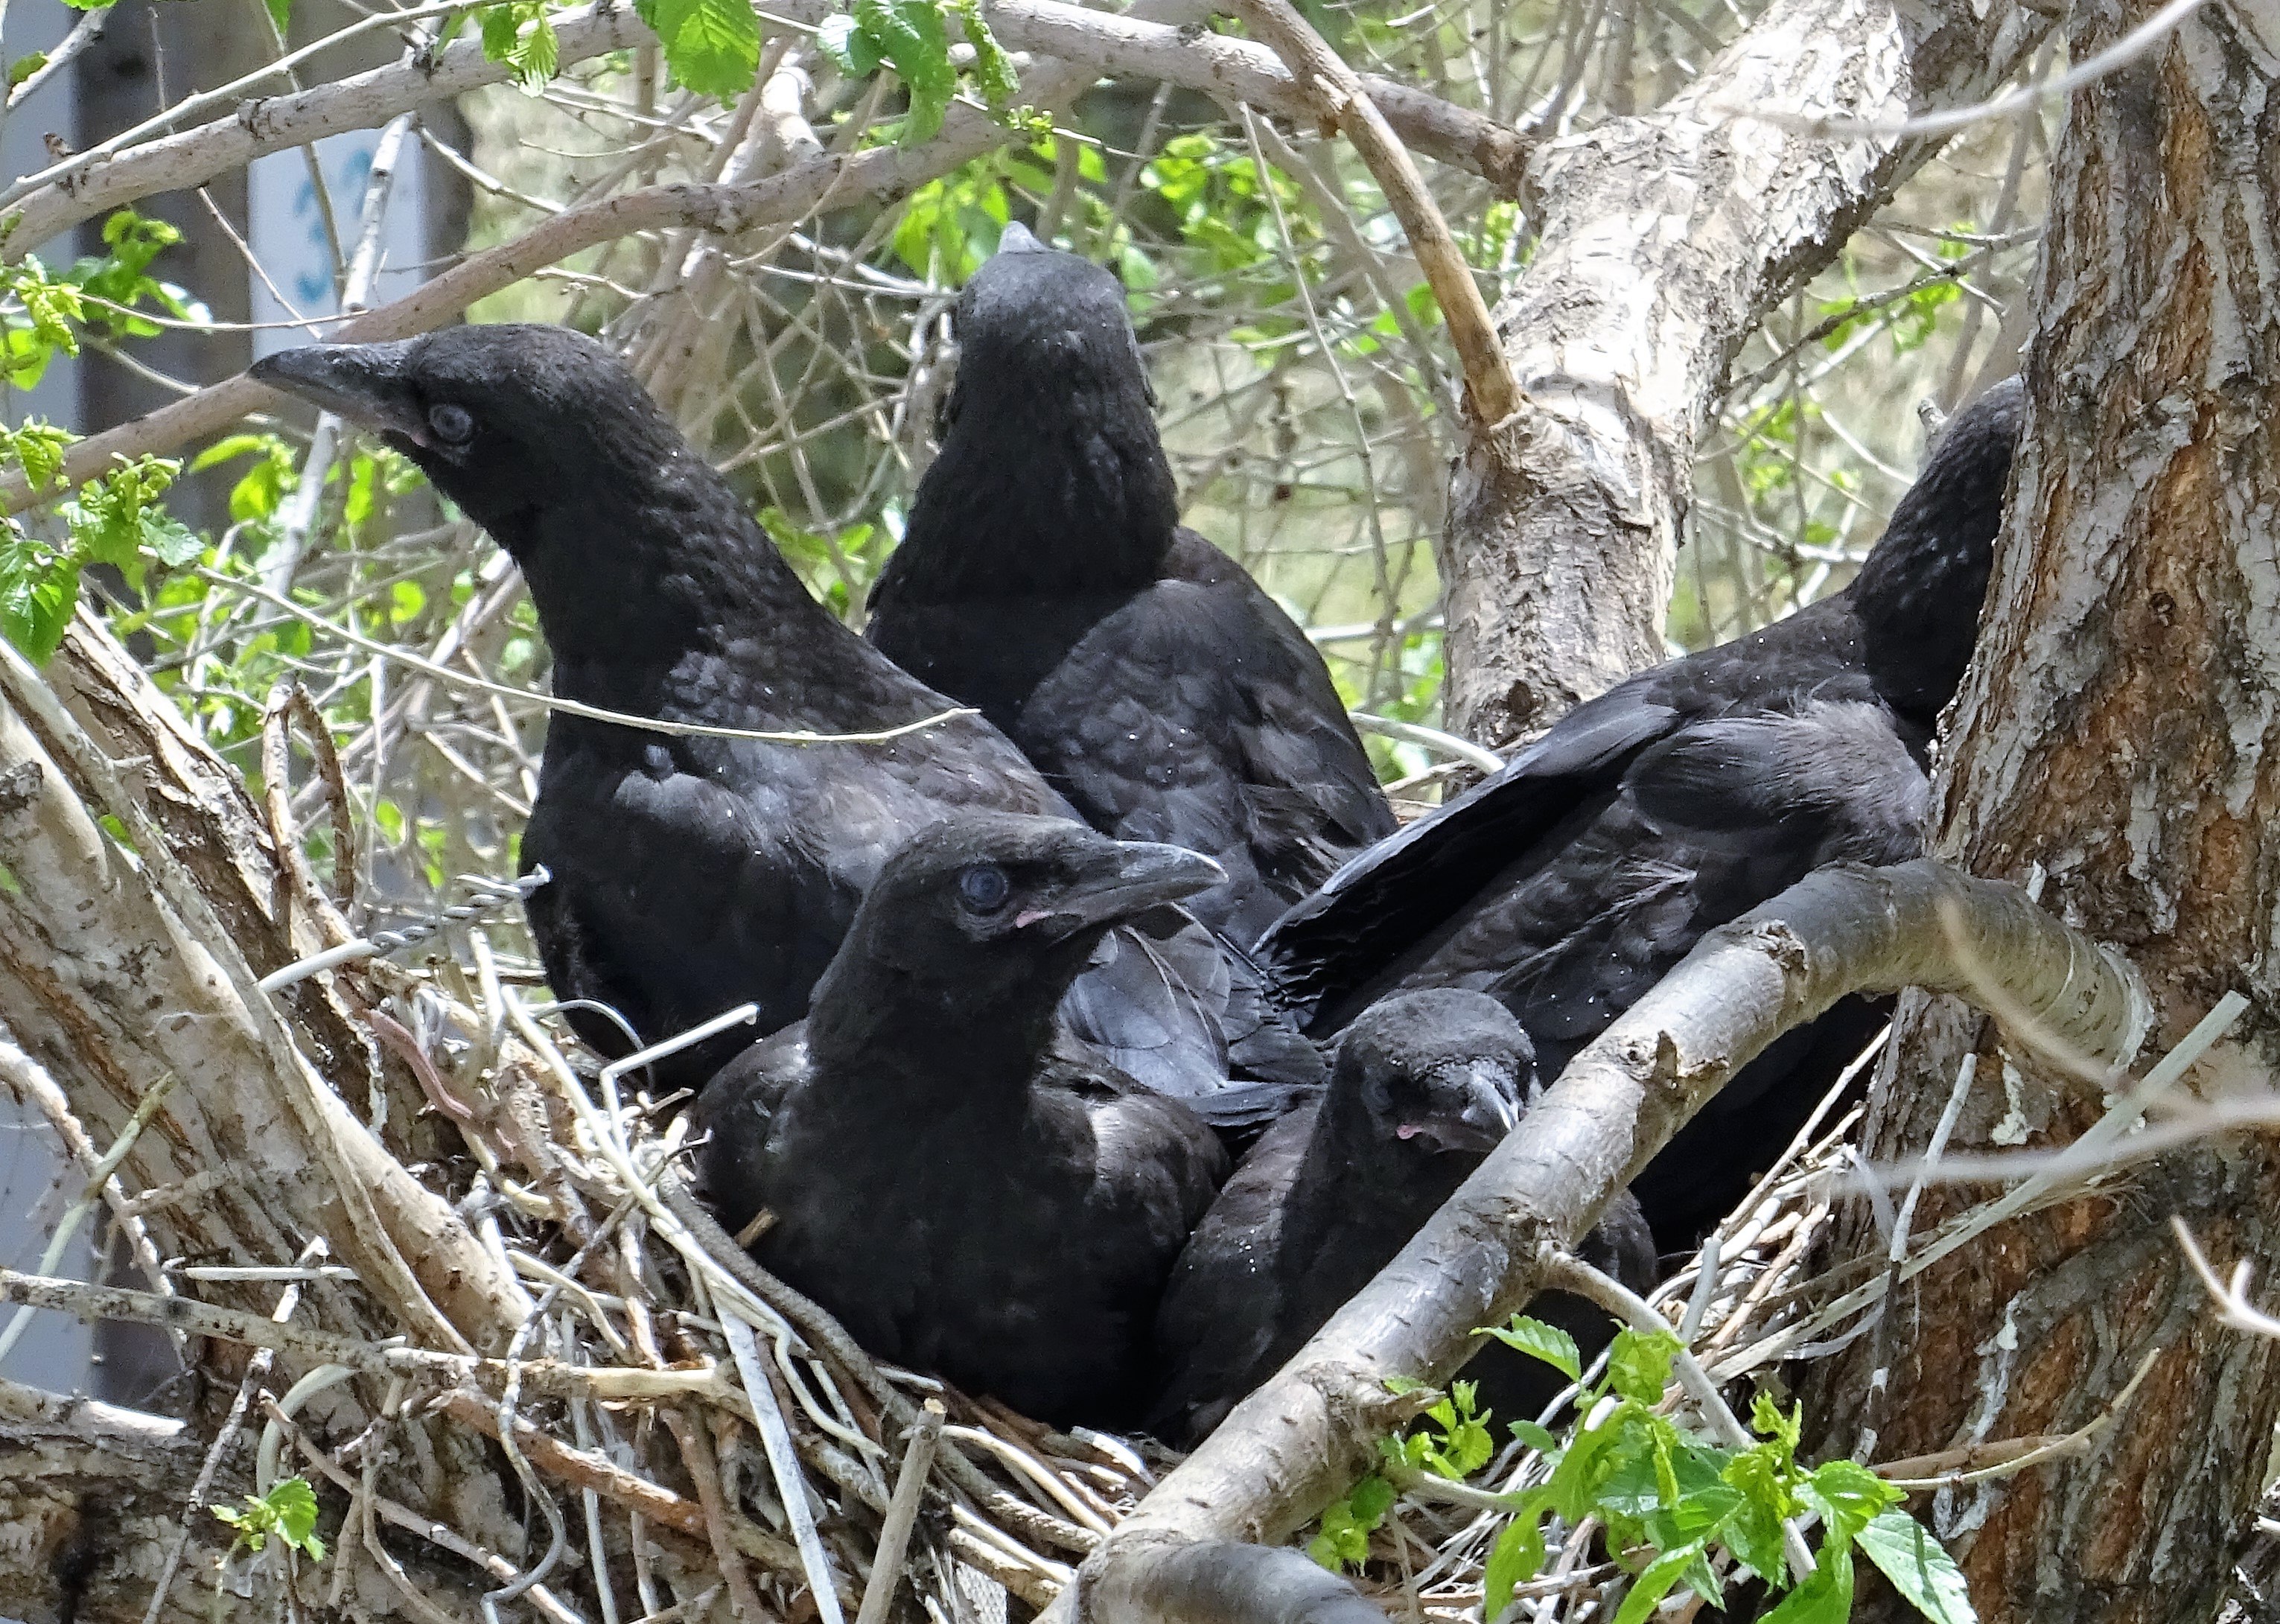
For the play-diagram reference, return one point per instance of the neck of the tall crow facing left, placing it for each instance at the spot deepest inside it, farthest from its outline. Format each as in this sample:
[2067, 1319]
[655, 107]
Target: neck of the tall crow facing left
[674, 603]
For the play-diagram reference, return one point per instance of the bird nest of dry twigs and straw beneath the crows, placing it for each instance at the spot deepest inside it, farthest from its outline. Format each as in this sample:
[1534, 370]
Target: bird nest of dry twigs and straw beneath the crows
[731, 1443]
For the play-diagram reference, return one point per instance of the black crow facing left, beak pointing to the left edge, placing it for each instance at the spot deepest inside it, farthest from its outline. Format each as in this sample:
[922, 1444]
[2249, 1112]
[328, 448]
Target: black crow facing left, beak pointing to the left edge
[690, 872]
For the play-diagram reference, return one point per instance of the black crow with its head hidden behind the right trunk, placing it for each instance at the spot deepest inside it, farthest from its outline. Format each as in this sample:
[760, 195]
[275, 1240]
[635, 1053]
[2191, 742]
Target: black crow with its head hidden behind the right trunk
[1577, 877]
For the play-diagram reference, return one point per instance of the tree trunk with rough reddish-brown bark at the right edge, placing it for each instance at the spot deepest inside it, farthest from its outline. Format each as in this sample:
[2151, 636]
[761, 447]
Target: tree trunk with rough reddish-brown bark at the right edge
[2122, 731]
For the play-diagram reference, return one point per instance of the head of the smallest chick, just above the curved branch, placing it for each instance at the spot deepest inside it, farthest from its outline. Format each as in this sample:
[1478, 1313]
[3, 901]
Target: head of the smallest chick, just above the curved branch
[1438, 1071]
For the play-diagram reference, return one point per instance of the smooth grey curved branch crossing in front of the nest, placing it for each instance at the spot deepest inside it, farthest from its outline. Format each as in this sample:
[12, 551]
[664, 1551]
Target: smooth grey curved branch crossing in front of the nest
[1303, 1438]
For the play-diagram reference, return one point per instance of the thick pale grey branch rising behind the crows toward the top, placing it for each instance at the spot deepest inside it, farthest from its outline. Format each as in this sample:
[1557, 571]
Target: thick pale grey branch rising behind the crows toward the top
[1663, 245]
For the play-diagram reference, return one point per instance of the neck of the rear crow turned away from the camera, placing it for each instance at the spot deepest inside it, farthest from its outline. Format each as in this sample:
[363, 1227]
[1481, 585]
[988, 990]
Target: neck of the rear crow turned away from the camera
[1023, 505]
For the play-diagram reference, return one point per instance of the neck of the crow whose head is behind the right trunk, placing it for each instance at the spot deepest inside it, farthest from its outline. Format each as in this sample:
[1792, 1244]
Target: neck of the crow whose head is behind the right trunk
[1919, 603]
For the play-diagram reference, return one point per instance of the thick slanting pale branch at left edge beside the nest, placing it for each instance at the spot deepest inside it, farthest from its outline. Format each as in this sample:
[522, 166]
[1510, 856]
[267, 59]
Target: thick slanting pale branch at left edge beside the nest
[120, 973]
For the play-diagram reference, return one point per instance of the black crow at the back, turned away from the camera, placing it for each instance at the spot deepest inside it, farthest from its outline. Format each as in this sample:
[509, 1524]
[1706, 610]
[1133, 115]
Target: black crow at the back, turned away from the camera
[1045, 578]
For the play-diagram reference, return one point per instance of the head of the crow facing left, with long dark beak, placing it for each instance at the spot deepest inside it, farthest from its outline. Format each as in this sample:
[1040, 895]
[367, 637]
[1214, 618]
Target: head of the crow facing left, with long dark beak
[505, 421]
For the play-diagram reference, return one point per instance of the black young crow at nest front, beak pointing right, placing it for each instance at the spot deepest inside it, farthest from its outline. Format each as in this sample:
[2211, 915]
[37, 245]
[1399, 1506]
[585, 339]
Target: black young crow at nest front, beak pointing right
[963, 1189]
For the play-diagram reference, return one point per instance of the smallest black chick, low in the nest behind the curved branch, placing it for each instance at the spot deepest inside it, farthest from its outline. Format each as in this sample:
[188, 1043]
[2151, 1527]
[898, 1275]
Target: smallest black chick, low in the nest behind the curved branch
[1424, 1087]
